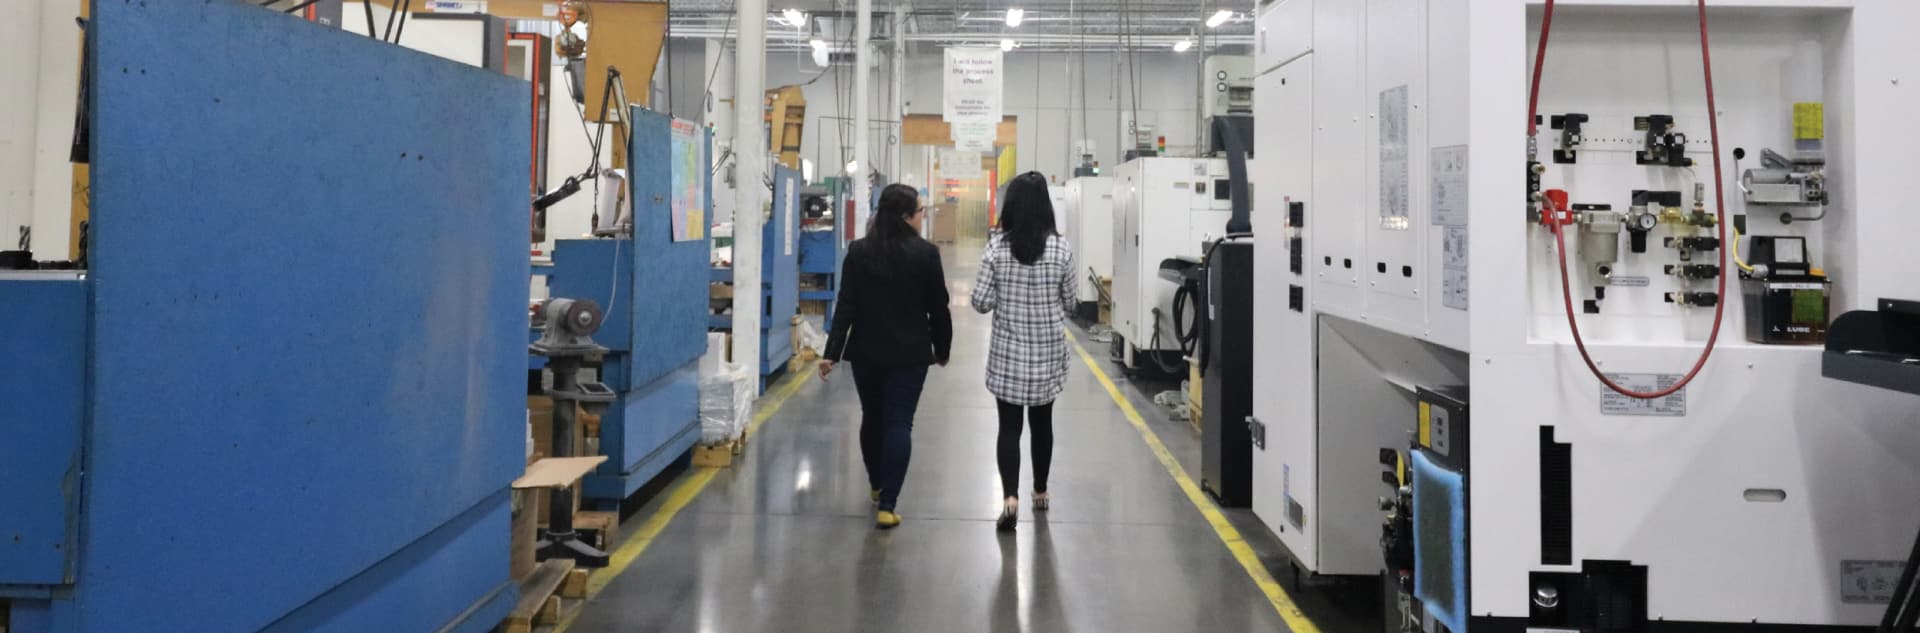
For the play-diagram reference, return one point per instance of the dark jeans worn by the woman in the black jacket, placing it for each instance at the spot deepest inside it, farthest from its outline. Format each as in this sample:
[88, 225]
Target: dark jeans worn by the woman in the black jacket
[888, 402]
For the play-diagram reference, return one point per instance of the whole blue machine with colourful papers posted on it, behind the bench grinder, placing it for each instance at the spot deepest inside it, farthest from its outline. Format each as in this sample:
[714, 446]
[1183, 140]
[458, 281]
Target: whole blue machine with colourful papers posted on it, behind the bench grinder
[656, 325]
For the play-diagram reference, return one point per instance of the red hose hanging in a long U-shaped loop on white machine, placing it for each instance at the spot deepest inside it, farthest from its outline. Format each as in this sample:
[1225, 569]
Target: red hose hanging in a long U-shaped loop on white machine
[1719, 197]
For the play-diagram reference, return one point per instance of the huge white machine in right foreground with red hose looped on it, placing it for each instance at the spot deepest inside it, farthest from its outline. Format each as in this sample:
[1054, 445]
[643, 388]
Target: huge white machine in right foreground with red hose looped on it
[1762, 494]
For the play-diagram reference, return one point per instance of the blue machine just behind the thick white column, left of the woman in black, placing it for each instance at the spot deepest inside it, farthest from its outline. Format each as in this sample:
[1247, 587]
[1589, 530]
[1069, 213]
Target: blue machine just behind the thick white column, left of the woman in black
[780, 277]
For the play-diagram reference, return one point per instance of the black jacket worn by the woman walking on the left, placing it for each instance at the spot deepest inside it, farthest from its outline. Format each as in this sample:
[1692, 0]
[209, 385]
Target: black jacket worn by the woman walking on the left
[894, 319]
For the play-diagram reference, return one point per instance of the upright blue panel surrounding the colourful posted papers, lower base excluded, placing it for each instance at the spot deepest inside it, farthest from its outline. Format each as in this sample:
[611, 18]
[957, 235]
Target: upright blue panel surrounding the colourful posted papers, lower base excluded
[669, 277]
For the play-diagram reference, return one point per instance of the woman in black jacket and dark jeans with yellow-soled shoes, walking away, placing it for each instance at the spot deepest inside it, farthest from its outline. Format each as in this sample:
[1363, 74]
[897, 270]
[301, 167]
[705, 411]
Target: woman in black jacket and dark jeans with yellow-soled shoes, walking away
[892, 323]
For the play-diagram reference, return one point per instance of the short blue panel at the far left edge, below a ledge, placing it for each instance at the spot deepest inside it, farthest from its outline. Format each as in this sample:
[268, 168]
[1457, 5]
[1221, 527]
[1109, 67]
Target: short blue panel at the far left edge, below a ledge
[45, 350]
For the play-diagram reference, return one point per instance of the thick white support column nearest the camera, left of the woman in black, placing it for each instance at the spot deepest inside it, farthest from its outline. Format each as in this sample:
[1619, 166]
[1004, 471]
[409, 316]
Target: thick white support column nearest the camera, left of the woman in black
[750, 179]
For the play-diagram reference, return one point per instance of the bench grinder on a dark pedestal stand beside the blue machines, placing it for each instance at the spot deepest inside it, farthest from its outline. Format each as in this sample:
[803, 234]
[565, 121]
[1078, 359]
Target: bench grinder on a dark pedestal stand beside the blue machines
[567, 342]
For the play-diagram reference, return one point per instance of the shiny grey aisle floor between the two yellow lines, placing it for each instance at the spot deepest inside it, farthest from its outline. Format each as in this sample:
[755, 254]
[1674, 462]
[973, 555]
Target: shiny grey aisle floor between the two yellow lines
[786, 540]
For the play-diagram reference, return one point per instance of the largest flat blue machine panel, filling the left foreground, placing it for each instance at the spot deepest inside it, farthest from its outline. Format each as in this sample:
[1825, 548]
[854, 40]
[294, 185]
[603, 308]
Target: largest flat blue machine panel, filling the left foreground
[310, 310]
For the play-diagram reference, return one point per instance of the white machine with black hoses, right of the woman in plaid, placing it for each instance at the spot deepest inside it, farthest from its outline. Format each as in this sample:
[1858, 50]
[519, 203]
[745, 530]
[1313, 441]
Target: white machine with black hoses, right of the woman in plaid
[1163, 208]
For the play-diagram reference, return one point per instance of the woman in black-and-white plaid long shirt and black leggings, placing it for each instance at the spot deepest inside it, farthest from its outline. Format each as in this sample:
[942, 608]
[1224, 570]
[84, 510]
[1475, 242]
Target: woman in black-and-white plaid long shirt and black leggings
[1026, 283]
